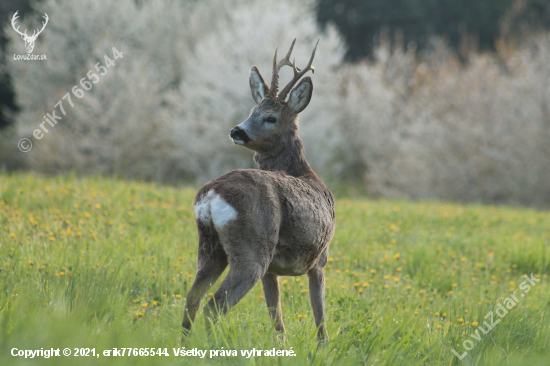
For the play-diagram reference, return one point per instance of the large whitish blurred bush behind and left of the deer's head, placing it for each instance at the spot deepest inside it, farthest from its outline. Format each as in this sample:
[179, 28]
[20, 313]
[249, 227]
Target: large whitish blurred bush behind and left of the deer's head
[165, 110]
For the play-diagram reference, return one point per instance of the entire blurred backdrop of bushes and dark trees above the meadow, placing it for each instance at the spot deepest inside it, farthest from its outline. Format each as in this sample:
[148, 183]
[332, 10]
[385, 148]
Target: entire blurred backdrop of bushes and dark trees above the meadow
[424, 99]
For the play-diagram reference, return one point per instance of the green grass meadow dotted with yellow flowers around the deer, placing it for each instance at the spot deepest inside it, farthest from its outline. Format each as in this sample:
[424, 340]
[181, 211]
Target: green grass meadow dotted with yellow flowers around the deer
[100, 263]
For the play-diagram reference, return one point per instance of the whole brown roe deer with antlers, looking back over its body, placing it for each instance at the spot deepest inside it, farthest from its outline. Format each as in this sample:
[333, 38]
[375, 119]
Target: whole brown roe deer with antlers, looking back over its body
[277, 220]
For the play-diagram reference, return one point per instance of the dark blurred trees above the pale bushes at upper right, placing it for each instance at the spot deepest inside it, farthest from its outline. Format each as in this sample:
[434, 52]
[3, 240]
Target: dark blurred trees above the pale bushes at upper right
[363, 22]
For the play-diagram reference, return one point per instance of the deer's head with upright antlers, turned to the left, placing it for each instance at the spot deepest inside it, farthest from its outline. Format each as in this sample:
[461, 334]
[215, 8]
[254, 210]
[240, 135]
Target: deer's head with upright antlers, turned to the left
[269, 125]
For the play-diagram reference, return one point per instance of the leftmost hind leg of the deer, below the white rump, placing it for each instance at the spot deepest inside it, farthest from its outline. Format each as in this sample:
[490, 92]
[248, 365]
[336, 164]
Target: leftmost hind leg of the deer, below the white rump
[211, 263]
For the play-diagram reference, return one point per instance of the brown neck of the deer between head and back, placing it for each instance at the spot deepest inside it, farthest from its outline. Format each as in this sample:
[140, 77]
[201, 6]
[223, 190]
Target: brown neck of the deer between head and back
[289, 158]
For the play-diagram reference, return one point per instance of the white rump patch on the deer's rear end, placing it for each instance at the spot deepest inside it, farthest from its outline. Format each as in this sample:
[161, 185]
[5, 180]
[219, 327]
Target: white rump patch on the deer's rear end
[213, 207]
